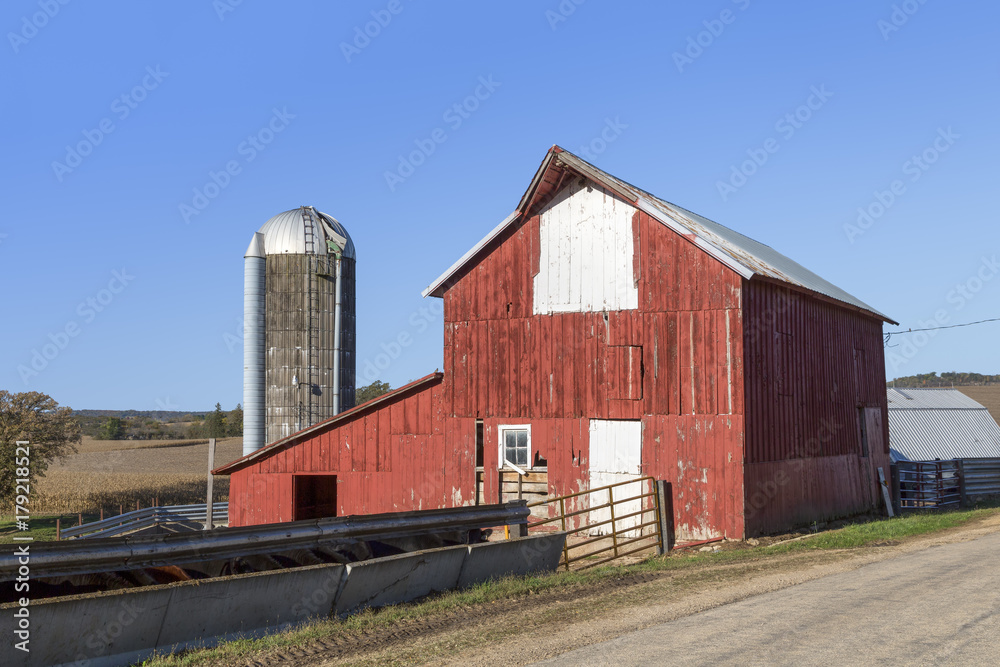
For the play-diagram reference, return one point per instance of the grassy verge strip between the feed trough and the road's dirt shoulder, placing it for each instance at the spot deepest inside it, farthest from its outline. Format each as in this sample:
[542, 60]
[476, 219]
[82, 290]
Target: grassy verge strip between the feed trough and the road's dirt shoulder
[690, 567]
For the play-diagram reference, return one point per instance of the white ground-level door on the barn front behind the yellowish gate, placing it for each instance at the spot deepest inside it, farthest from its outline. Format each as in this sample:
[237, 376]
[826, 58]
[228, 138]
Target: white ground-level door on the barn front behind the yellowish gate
[615, 456]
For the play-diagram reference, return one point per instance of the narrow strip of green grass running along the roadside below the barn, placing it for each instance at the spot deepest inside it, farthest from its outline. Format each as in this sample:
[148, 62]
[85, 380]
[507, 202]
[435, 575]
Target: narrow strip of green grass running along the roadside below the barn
[850, 537]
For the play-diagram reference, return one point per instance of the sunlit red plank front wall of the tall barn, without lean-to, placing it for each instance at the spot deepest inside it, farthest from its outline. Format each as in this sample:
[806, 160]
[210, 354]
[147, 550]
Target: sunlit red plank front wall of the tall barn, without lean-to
[675, 363]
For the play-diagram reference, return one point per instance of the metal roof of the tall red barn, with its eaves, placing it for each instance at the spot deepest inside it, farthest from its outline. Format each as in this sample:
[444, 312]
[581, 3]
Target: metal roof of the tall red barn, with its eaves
[744, 255]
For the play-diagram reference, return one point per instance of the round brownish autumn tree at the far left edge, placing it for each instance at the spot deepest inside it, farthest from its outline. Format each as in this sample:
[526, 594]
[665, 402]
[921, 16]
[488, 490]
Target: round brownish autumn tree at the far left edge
[50, 431]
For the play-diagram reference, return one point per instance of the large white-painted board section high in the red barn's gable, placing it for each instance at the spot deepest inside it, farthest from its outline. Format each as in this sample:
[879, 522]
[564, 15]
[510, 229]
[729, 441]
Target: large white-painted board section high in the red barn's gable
[586, 253]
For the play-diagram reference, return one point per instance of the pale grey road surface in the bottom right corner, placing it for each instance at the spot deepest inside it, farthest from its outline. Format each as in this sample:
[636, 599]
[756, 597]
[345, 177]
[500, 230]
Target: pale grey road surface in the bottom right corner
[936, 606]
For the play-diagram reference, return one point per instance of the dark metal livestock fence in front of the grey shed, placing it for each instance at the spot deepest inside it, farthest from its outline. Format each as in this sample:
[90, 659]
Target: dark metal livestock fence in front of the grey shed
[929, 485]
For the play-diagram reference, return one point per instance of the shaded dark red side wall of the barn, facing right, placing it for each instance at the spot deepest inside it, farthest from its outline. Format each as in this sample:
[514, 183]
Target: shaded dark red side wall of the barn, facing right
[810, 366]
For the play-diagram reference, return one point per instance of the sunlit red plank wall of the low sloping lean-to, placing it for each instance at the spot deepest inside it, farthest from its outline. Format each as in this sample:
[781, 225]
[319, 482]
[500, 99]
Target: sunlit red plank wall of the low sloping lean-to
[400, 456]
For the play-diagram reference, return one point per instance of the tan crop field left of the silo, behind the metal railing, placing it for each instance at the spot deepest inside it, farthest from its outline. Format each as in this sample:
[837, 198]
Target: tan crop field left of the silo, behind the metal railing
[113, 474]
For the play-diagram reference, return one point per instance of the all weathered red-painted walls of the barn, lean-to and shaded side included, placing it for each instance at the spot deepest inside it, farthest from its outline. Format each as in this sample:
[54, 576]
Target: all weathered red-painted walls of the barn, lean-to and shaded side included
[748, 392]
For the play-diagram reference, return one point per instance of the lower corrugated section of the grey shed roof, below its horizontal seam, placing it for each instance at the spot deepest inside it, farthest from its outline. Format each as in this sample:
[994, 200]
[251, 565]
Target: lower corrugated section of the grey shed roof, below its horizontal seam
[925, 435]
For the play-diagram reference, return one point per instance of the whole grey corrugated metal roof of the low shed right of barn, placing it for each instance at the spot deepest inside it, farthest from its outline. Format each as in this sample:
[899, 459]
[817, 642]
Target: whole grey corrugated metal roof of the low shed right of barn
[928, 424]
